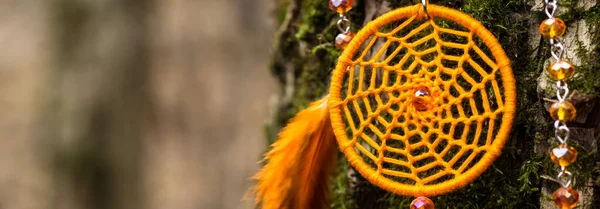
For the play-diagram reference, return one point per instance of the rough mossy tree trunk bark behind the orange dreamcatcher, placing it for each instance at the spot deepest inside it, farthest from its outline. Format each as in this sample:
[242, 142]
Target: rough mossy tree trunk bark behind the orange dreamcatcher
[304, 56]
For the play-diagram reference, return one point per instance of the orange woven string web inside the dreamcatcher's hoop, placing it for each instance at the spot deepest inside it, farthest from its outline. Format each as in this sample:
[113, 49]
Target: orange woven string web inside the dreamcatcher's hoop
[428, 147]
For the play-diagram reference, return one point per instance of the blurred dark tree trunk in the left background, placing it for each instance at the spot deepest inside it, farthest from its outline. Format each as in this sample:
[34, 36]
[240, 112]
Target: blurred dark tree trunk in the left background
[102, 102]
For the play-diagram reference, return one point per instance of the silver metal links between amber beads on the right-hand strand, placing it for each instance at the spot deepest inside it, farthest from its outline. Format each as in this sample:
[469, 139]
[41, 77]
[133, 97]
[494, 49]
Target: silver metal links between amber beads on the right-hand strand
[561, 131]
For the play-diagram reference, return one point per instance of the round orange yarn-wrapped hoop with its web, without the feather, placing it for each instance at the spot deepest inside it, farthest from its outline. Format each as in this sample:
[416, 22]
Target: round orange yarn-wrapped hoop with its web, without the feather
[468, 117]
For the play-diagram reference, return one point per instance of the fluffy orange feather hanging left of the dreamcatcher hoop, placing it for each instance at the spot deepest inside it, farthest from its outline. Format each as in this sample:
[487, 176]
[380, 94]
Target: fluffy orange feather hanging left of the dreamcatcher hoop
[299, 163]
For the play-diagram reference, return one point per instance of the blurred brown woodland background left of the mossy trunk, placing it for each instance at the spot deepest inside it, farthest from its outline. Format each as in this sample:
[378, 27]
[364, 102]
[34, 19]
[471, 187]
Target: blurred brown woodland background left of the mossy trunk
[133, 103]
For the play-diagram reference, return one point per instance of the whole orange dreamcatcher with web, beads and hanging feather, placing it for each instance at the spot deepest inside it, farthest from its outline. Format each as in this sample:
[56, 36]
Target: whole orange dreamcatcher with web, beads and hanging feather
[421, 103]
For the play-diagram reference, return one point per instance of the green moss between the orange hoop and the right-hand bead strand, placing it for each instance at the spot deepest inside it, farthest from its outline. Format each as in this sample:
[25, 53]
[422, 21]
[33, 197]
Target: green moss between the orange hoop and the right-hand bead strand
[513, 180]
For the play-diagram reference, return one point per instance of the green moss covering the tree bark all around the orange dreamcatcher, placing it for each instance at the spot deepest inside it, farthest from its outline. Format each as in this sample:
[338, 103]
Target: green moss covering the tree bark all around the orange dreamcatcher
[514, 179]
